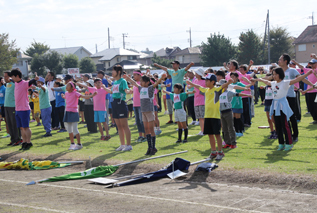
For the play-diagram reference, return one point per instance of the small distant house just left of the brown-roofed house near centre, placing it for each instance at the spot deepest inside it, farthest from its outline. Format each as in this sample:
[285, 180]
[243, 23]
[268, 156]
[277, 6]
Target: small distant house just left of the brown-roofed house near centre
[163, 53]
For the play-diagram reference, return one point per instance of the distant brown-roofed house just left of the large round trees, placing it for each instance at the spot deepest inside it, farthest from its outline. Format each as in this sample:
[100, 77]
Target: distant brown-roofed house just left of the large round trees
[188, 55]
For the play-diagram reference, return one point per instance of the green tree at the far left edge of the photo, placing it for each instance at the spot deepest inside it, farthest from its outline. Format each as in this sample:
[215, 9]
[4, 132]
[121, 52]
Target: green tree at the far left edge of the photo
[8, 52]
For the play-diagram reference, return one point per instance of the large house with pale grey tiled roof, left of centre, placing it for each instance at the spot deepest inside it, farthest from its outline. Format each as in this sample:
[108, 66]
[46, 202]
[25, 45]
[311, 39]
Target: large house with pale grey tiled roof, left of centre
[107, 58]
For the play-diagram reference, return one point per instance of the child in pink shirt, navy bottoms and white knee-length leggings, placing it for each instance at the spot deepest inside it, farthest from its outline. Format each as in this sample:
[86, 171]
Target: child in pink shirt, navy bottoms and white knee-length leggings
[71, 116]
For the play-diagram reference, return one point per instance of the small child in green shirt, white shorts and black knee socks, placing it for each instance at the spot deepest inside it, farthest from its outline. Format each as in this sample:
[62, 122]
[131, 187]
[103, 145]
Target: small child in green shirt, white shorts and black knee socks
[178, 98]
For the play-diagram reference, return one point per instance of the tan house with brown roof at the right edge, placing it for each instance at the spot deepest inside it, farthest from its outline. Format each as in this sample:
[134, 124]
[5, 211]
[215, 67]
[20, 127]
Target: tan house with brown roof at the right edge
[305, 44]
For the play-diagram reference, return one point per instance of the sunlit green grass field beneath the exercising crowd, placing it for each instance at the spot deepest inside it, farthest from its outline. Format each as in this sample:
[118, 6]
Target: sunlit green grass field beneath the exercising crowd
[254, 152]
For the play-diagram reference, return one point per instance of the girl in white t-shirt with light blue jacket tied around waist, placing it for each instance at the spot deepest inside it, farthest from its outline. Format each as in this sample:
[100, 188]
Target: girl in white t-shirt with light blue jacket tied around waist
[280, 107]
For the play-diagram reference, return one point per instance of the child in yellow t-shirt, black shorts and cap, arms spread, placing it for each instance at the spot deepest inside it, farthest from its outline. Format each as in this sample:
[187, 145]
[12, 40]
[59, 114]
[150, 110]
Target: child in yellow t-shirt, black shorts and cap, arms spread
[212, 124]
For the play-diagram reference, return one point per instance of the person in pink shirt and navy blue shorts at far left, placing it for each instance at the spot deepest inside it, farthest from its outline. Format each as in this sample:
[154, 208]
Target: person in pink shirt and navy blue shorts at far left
[22, 107]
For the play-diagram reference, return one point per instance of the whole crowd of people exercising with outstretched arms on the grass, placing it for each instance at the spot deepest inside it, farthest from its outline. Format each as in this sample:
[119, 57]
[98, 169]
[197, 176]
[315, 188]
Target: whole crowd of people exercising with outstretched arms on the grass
[217, 101]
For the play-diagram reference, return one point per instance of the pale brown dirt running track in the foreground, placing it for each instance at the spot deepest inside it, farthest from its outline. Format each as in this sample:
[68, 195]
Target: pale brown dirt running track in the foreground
[161, 196]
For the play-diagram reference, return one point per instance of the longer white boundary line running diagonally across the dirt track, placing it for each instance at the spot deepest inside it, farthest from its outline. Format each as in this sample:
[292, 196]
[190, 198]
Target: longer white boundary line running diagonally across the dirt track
[140, 196]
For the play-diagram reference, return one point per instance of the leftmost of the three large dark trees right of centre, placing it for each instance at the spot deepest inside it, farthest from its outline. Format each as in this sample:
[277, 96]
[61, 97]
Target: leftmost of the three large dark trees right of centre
[216, 50]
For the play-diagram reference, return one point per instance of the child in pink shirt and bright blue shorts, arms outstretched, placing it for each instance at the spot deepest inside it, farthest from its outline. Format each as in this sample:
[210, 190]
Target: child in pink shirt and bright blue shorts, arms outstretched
[100, 111]
